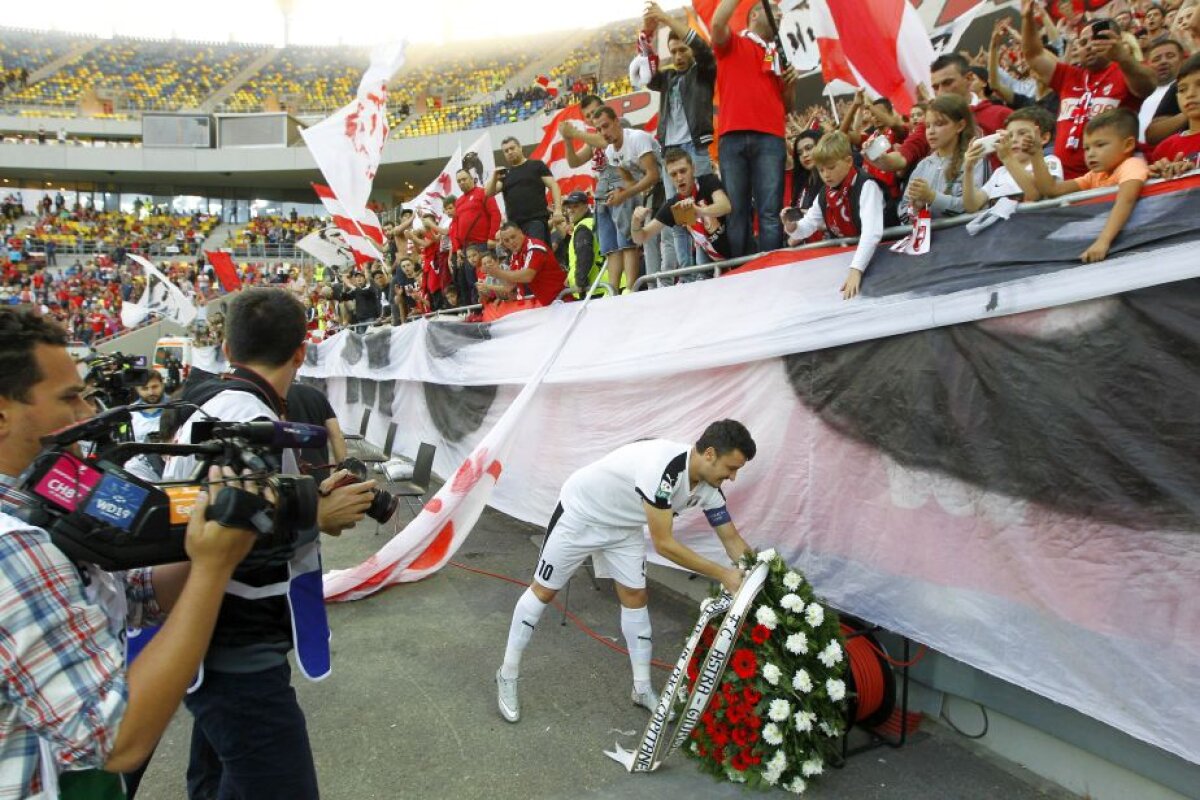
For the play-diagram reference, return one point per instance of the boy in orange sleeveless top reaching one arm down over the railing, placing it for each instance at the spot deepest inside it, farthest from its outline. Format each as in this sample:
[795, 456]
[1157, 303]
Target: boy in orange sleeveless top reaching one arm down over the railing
[1109, 143]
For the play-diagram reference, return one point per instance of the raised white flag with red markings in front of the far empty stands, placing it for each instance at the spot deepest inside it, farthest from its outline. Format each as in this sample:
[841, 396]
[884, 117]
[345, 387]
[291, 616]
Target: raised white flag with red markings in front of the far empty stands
[349, 145]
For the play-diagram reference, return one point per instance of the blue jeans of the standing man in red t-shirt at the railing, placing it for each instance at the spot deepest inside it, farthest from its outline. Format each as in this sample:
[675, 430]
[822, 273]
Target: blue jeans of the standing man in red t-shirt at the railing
[753, 171]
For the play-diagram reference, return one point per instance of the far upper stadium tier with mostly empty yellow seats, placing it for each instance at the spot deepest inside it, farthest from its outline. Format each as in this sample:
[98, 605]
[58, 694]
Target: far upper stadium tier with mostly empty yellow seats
[437, 93]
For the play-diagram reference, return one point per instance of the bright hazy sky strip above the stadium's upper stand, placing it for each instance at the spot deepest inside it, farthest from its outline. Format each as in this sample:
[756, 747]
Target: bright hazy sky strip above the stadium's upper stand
[321, 22]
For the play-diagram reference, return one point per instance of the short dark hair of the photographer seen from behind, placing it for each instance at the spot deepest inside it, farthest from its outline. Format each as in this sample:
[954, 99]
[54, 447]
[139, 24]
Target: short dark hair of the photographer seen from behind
[266, 327]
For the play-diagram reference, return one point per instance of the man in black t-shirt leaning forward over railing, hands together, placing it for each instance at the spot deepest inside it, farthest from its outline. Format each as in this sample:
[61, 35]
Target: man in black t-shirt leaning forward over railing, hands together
[699, 207]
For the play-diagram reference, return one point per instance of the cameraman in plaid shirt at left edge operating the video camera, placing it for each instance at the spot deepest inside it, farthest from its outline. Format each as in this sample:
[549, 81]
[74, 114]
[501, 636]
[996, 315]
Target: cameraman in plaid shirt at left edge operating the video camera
[69, 702]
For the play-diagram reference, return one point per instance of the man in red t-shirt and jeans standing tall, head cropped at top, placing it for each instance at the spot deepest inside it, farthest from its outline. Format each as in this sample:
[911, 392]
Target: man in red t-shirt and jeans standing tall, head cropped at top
[751, 83]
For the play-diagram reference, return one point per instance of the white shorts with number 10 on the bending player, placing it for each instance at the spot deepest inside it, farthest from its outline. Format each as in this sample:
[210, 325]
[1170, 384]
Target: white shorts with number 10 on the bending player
[617, 554]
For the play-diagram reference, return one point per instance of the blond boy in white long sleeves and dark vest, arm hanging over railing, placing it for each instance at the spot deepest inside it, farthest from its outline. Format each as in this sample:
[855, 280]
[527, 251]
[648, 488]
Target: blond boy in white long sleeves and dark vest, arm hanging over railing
[850, 206]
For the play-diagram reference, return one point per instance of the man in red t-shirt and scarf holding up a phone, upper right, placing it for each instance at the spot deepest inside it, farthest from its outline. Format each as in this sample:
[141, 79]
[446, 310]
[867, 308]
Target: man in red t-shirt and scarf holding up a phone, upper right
[1111, 77]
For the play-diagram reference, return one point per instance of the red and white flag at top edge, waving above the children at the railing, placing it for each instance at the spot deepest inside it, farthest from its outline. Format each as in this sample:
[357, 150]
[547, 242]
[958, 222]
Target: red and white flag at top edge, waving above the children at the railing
[881, 46]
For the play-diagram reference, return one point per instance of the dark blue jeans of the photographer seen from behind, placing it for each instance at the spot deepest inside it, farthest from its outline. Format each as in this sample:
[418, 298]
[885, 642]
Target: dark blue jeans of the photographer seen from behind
[249, 739]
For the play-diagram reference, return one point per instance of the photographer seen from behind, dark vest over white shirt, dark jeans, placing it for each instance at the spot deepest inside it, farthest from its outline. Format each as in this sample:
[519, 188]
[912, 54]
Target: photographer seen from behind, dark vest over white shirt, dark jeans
[249, 737]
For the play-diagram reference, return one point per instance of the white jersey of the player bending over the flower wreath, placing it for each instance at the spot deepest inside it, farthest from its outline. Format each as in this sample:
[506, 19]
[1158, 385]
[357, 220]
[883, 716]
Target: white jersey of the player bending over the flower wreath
[610, 494]
